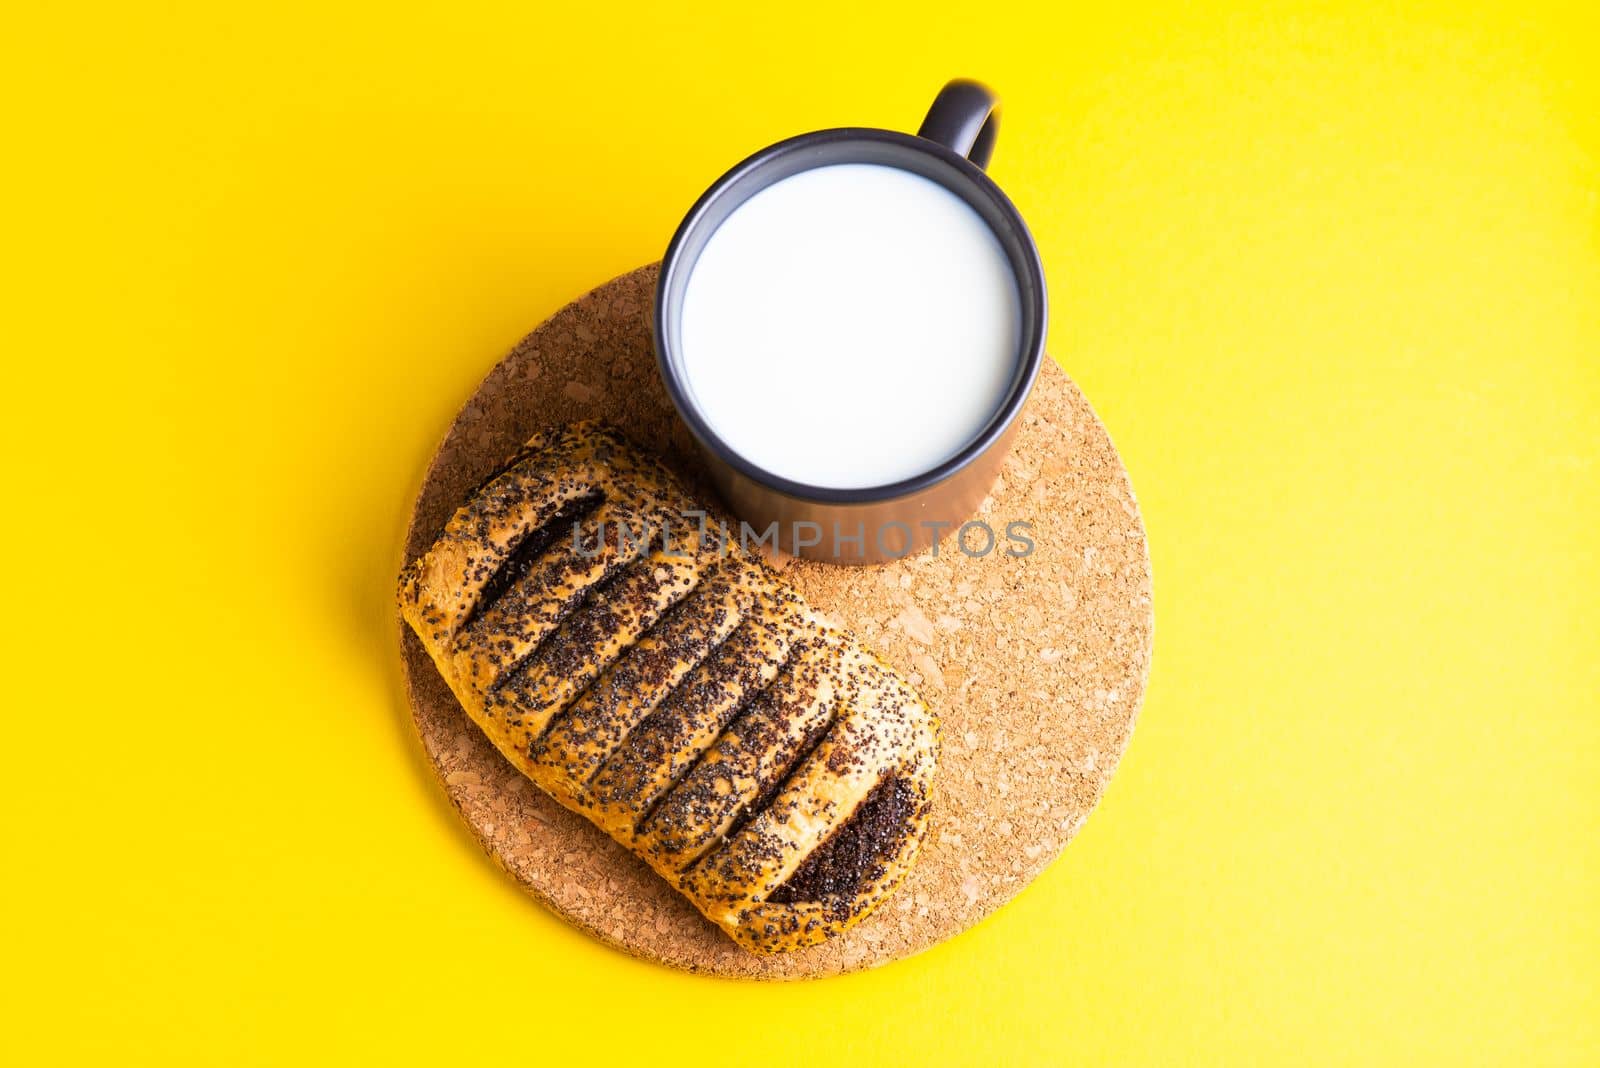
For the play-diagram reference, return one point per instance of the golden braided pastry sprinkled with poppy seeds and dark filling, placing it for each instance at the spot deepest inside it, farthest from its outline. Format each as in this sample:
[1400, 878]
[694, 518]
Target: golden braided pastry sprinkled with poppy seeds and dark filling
[676, 691]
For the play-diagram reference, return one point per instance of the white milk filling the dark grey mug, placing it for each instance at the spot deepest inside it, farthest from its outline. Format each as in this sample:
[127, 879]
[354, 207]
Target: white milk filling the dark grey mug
[850, 327]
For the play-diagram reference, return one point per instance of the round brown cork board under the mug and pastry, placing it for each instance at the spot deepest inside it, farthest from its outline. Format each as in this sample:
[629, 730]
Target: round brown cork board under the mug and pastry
[1036, 664]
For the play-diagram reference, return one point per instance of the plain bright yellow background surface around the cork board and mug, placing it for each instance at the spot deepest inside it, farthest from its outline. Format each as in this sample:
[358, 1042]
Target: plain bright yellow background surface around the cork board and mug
[1332, 276]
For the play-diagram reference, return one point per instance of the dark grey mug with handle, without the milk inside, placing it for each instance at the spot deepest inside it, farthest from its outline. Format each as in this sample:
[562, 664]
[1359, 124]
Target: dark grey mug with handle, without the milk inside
[879, 524]
